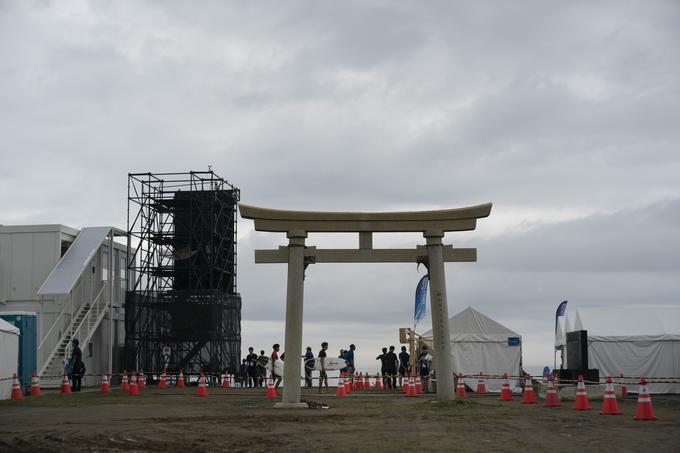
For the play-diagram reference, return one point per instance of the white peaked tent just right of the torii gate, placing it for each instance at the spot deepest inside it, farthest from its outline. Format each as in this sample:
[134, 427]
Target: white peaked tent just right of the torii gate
[480, 344]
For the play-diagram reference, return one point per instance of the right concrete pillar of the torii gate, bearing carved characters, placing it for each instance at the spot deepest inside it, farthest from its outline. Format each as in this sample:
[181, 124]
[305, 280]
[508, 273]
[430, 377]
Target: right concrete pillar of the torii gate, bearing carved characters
[440, 316]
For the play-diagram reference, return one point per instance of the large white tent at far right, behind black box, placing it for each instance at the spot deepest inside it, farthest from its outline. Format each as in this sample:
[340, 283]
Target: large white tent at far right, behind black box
[633, 340]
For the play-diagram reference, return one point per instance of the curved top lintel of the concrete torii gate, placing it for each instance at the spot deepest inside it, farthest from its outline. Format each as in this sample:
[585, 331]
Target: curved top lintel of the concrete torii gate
[277, 220]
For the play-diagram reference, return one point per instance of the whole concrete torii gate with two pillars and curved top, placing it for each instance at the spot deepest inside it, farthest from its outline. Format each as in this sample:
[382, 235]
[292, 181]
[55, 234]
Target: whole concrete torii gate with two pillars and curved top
[433, 225]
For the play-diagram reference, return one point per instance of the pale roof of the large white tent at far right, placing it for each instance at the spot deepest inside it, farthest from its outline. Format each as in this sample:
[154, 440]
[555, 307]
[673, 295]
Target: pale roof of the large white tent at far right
[628, 320]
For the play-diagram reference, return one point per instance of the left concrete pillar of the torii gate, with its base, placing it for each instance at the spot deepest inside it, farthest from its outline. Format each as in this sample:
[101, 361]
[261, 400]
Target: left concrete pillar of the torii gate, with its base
[293, 339]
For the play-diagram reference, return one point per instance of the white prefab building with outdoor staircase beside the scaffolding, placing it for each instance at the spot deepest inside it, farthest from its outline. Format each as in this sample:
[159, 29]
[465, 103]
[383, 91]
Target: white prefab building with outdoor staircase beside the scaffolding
[62, 275]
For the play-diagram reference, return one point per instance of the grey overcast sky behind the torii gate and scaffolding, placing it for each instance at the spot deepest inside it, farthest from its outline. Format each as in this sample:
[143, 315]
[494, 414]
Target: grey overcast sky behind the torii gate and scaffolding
[565, 115]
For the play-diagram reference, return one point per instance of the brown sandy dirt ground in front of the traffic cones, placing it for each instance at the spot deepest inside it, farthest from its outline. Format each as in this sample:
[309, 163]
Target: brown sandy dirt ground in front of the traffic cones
[238, 420]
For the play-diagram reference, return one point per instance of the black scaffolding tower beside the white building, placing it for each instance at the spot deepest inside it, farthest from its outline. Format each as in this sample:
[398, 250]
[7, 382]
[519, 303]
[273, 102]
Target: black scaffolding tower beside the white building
[182, 309]
